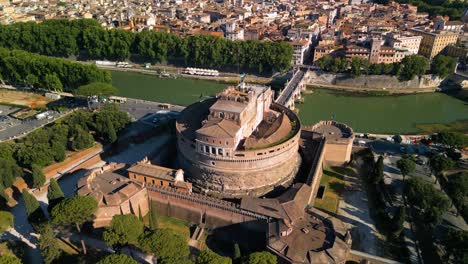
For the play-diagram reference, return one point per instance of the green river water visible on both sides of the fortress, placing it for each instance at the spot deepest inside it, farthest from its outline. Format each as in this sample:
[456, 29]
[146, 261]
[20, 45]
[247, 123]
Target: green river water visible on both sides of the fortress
[373, 114]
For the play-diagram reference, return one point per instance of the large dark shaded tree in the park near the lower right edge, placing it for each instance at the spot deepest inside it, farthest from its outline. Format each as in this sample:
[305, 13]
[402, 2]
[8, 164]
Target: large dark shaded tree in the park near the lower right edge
[430, 203]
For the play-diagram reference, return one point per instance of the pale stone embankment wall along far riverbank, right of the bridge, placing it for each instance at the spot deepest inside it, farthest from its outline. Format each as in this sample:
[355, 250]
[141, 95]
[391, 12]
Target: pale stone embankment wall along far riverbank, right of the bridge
[372, 81]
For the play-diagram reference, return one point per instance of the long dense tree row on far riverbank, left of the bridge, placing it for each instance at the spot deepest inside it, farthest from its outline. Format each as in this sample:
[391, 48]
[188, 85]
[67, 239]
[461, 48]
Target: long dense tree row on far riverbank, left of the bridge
[87, 39]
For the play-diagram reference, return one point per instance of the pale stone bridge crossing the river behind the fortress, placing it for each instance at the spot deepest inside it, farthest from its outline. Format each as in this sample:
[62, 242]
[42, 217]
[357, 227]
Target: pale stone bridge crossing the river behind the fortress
[293, 88]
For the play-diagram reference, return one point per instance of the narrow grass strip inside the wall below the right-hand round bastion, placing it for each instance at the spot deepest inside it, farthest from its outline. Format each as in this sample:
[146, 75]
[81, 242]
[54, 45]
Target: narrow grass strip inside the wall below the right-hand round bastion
[334, 184]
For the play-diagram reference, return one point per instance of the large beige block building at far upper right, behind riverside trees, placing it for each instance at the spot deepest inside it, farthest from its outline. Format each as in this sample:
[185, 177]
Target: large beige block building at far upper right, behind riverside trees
[434, 42]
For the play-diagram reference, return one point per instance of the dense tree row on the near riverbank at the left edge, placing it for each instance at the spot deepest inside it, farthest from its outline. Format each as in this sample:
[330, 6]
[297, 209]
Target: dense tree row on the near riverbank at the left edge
[33, 70]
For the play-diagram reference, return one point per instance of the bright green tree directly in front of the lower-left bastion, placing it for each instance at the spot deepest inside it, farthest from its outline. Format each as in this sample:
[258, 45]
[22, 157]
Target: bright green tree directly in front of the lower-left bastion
[123, 230]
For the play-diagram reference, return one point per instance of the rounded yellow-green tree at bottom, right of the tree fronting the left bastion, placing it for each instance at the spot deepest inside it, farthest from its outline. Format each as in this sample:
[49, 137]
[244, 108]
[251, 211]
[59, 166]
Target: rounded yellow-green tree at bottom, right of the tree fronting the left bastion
[166, 244]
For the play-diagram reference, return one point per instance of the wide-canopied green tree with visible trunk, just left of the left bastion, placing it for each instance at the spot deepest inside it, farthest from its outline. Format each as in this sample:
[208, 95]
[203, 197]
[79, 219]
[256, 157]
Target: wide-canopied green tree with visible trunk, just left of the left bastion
[75, 210]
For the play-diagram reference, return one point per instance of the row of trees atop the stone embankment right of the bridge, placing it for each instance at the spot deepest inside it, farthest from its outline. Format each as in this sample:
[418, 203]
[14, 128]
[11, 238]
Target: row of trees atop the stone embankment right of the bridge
[410, 66]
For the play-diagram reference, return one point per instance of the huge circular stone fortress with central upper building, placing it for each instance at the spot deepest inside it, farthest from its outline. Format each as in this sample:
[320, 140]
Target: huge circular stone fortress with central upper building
[239, 143]
